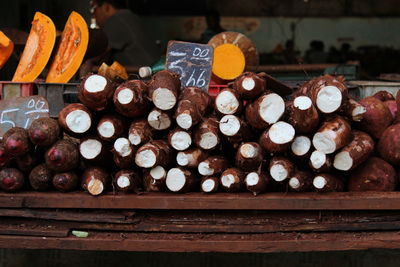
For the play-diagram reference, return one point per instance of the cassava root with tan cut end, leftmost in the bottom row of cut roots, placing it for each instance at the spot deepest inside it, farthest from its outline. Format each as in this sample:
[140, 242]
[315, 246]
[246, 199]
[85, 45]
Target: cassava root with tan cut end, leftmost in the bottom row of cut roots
[96, 174]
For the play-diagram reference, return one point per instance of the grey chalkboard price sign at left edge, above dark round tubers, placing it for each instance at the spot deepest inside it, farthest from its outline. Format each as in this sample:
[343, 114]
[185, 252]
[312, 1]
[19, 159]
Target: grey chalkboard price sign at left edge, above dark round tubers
[21, 111]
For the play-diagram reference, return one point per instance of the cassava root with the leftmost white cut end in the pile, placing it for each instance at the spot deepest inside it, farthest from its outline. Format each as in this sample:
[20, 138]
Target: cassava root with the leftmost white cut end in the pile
[75, 118]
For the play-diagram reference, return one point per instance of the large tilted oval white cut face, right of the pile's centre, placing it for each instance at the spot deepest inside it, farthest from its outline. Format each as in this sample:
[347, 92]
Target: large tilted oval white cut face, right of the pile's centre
[272, 108]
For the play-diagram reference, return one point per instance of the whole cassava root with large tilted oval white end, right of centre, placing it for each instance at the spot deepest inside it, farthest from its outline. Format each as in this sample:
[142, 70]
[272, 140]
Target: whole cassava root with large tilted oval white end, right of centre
[266, 110]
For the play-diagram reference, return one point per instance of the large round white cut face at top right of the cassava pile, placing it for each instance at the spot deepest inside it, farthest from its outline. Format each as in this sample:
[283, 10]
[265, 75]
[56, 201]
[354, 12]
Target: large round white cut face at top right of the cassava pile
[329, 99]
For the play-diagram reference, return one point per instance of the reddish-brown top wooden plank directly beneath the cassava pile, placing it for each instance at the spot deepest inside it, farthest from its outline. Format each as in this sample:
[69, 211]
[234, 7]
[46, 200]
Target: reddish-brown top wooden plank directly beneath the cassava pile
[198, 201]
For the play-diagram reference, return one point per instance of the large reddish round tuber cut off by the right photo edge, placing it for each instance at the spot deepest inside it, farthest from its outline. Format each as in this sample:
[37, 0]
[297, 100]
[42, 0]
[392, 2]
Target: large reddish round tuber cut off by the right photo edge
[389, 145]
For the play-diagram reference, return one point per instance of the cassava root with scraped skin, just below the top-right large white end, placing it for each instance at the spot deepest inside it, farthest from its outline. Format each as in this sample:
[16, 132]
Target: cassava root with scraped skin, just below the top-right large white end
[334, 134]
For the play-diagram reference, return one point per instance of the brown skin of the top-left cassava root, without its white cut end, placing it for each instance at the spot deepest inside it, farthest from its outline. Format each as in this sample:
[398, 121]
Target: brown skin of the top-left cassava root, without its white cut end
[97, 101]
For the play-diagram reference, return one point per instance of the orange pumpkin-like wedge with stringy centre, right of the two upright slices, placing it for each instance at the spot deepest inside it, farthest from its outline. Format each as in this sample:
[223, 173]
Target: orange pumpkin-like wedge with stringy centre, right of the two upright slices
[72, 49]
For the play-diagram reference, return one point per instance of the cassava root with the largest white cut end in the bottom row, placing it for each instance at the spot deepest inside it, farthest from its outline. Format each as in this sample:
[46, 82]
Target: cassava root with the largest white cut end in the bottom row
[180, 180]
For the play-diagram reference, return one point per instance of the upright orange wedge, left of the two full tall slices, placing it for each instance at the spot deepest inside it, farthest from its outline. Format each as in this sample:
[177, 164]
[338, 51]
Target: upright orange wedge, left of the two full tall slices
[37, 49]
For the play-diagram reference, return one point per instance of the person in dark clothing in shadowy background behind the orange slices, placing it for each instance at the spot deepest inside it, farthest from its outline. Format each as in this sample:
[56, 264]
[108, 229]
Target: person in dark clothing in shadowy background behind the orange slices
[128, 42]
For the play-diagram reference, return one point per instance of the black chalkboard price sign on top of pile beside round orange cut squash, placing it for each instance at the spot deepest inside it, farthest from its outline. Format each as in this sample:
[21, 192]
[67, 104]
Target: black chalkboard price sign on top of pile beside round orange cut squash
[193, 62]
